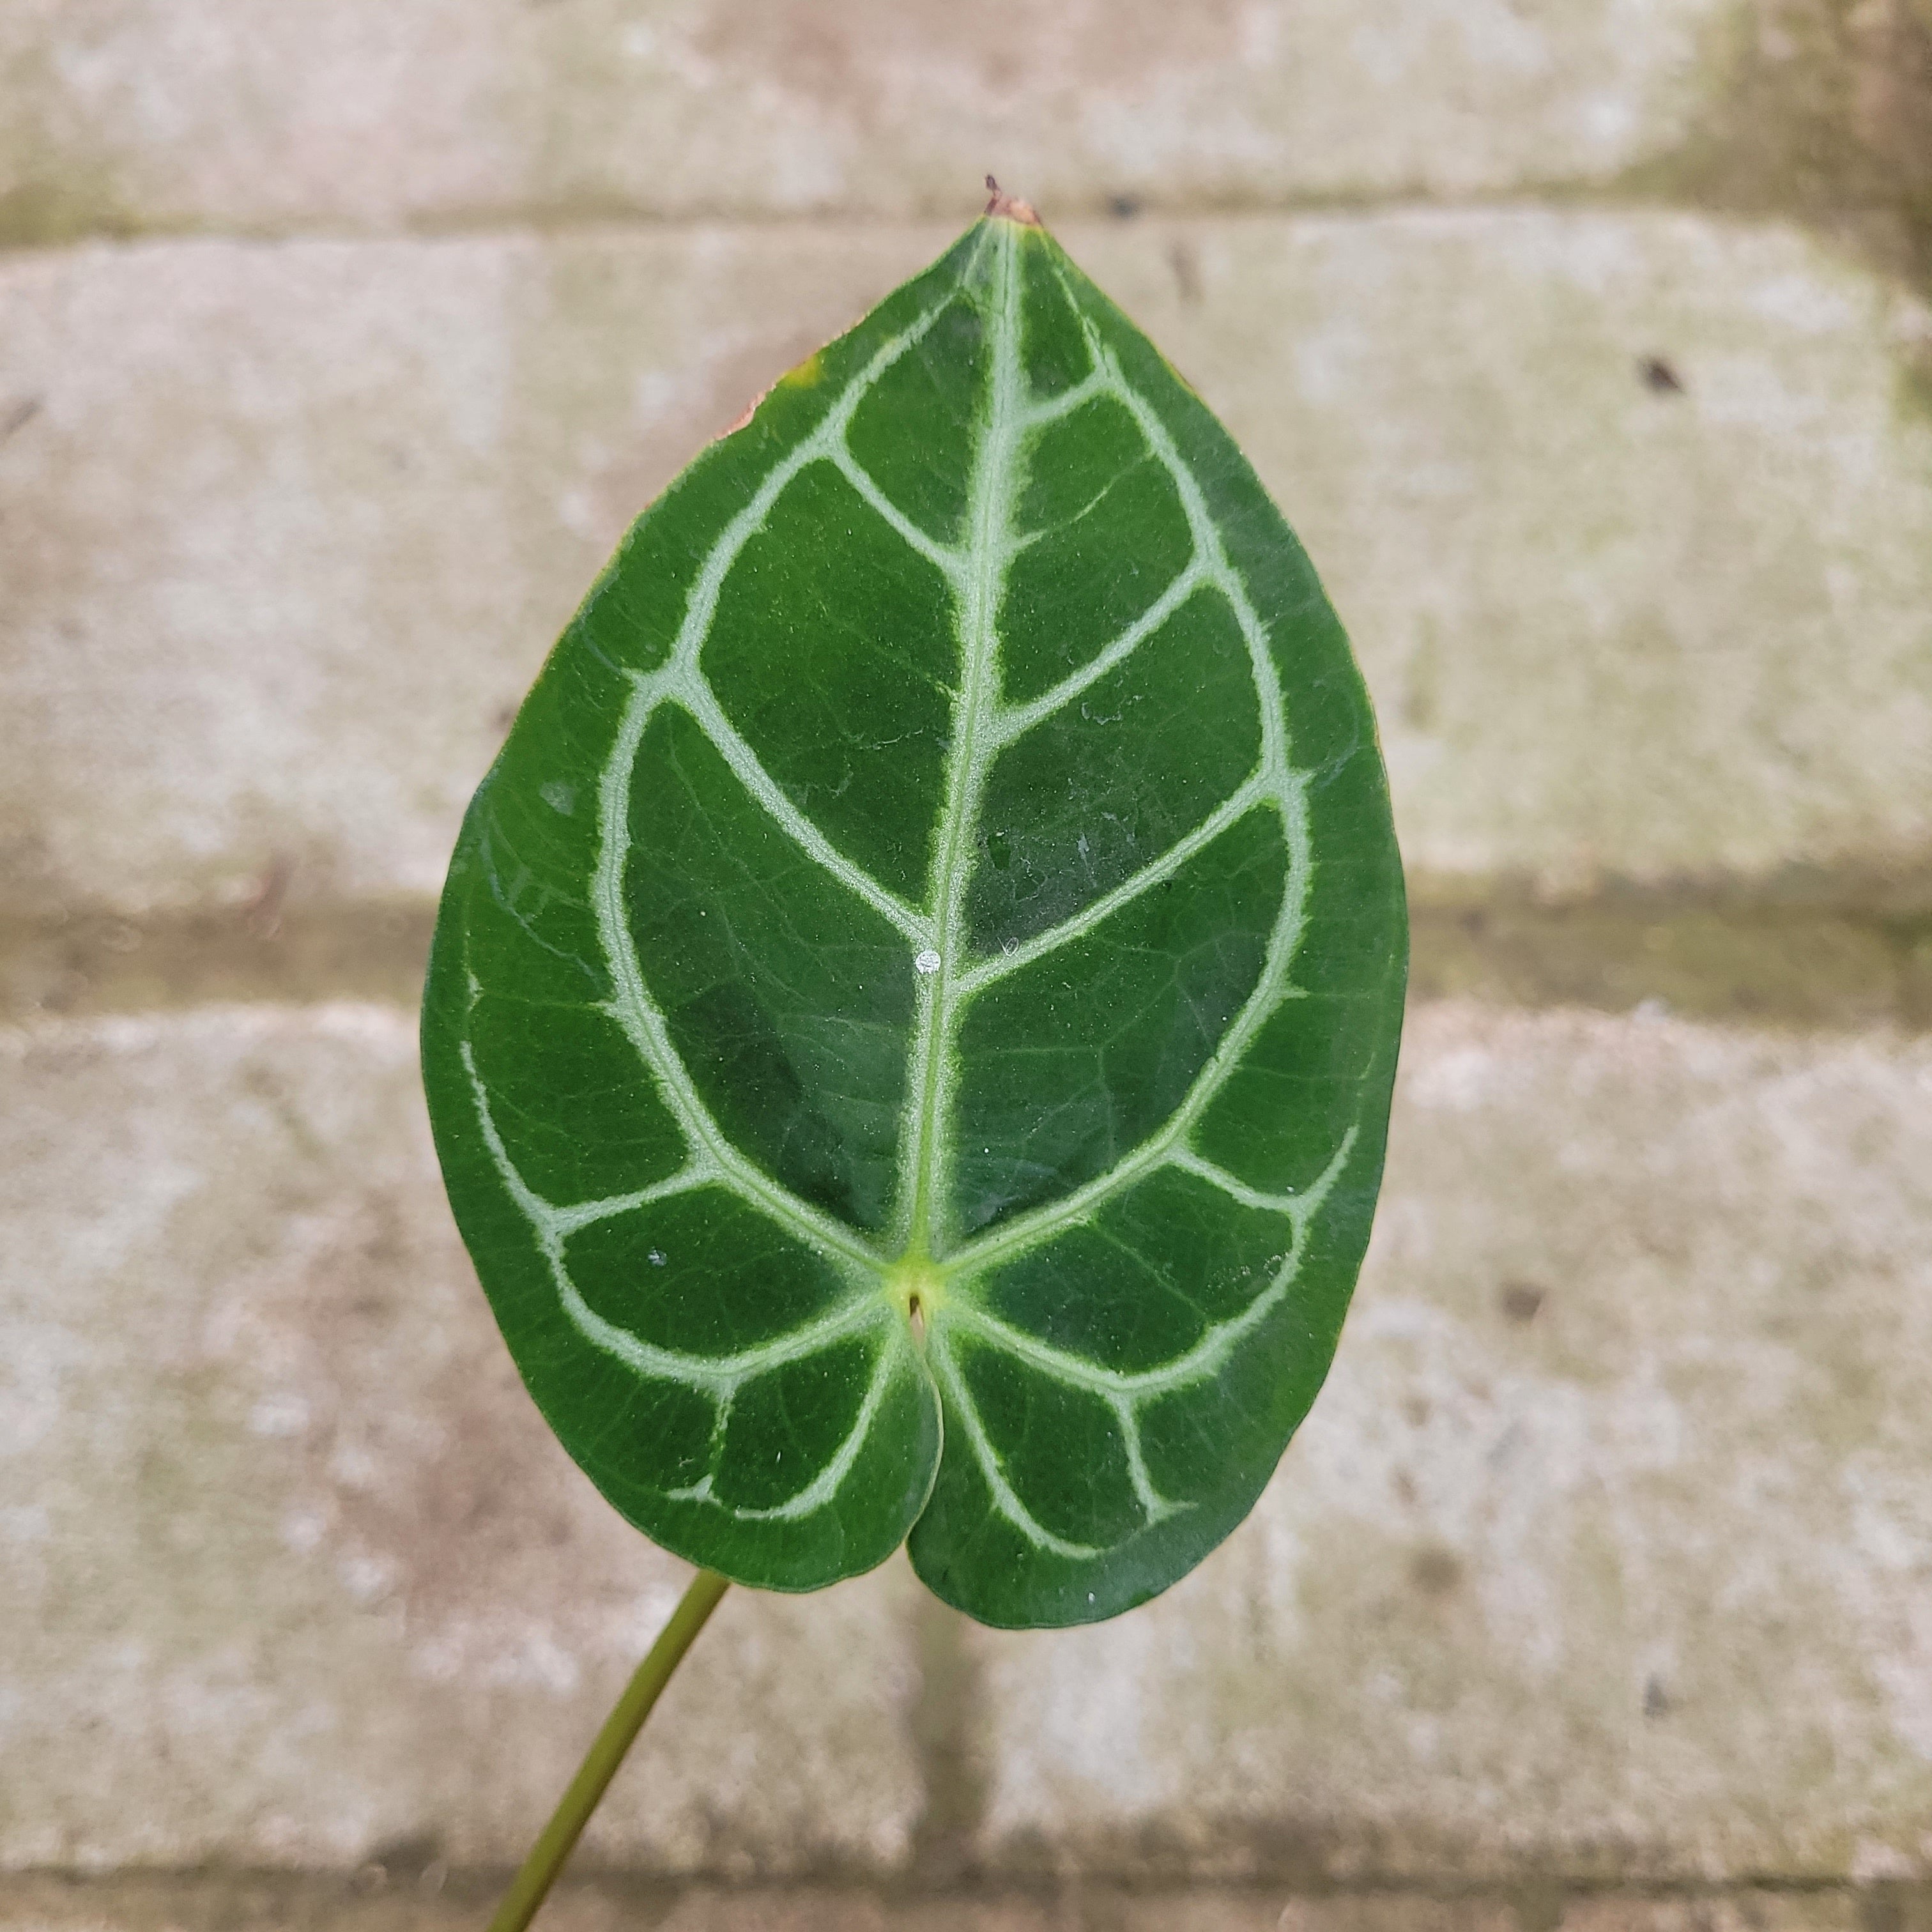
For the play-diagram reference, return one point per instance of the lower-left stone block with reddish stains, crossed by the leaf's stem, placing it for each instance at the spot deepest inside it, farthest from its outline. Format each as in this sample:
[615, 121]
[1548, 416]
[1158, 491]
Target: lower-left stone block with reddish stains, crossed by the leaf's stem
[295, 1574]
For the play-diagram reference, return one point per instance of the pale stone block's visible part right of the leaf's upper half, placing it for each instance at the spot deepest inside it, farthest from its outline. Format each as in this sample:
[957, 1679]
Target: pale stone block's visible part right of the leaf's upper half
[1614, 631]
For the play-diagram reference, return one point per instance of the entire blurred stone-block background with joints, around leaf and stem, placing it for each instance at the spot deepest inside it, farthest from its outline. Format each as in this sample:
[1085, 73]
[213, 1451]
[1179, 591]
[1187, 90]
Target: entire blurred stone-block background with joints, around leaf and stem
[1587, 345]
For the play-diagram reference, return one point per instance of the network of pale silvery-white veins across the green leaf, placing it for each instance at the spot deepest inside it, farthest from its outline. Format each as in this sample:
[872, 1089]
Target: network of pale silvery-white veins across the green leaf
[984, 725]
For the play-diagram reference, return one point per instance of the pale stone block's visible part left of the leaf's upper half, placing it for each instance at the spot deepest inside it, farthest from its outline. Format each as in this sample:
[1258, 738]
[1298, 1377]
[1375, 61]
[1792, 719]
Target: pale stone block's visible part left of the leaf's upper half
[291, 530]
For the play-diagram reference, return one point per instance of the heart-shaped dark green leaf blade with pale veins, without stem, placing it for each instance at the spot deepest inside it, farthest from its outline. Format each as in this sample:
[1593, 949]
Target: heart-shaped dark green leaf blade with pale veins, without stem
[915, 1004]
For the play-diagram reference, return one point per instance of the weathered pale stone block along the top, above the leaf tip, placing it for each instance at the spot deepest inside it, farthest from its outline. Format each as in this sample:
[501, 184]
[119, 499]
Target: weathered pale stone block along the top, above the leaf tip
[221, 113]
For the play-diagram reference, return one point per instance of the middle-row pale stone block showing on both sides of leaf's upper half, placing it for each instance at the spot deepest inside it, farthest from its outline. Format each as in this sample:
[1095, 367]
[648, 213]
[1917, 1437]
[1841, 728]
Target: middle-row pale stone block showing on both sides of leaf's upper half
[291, 526]
